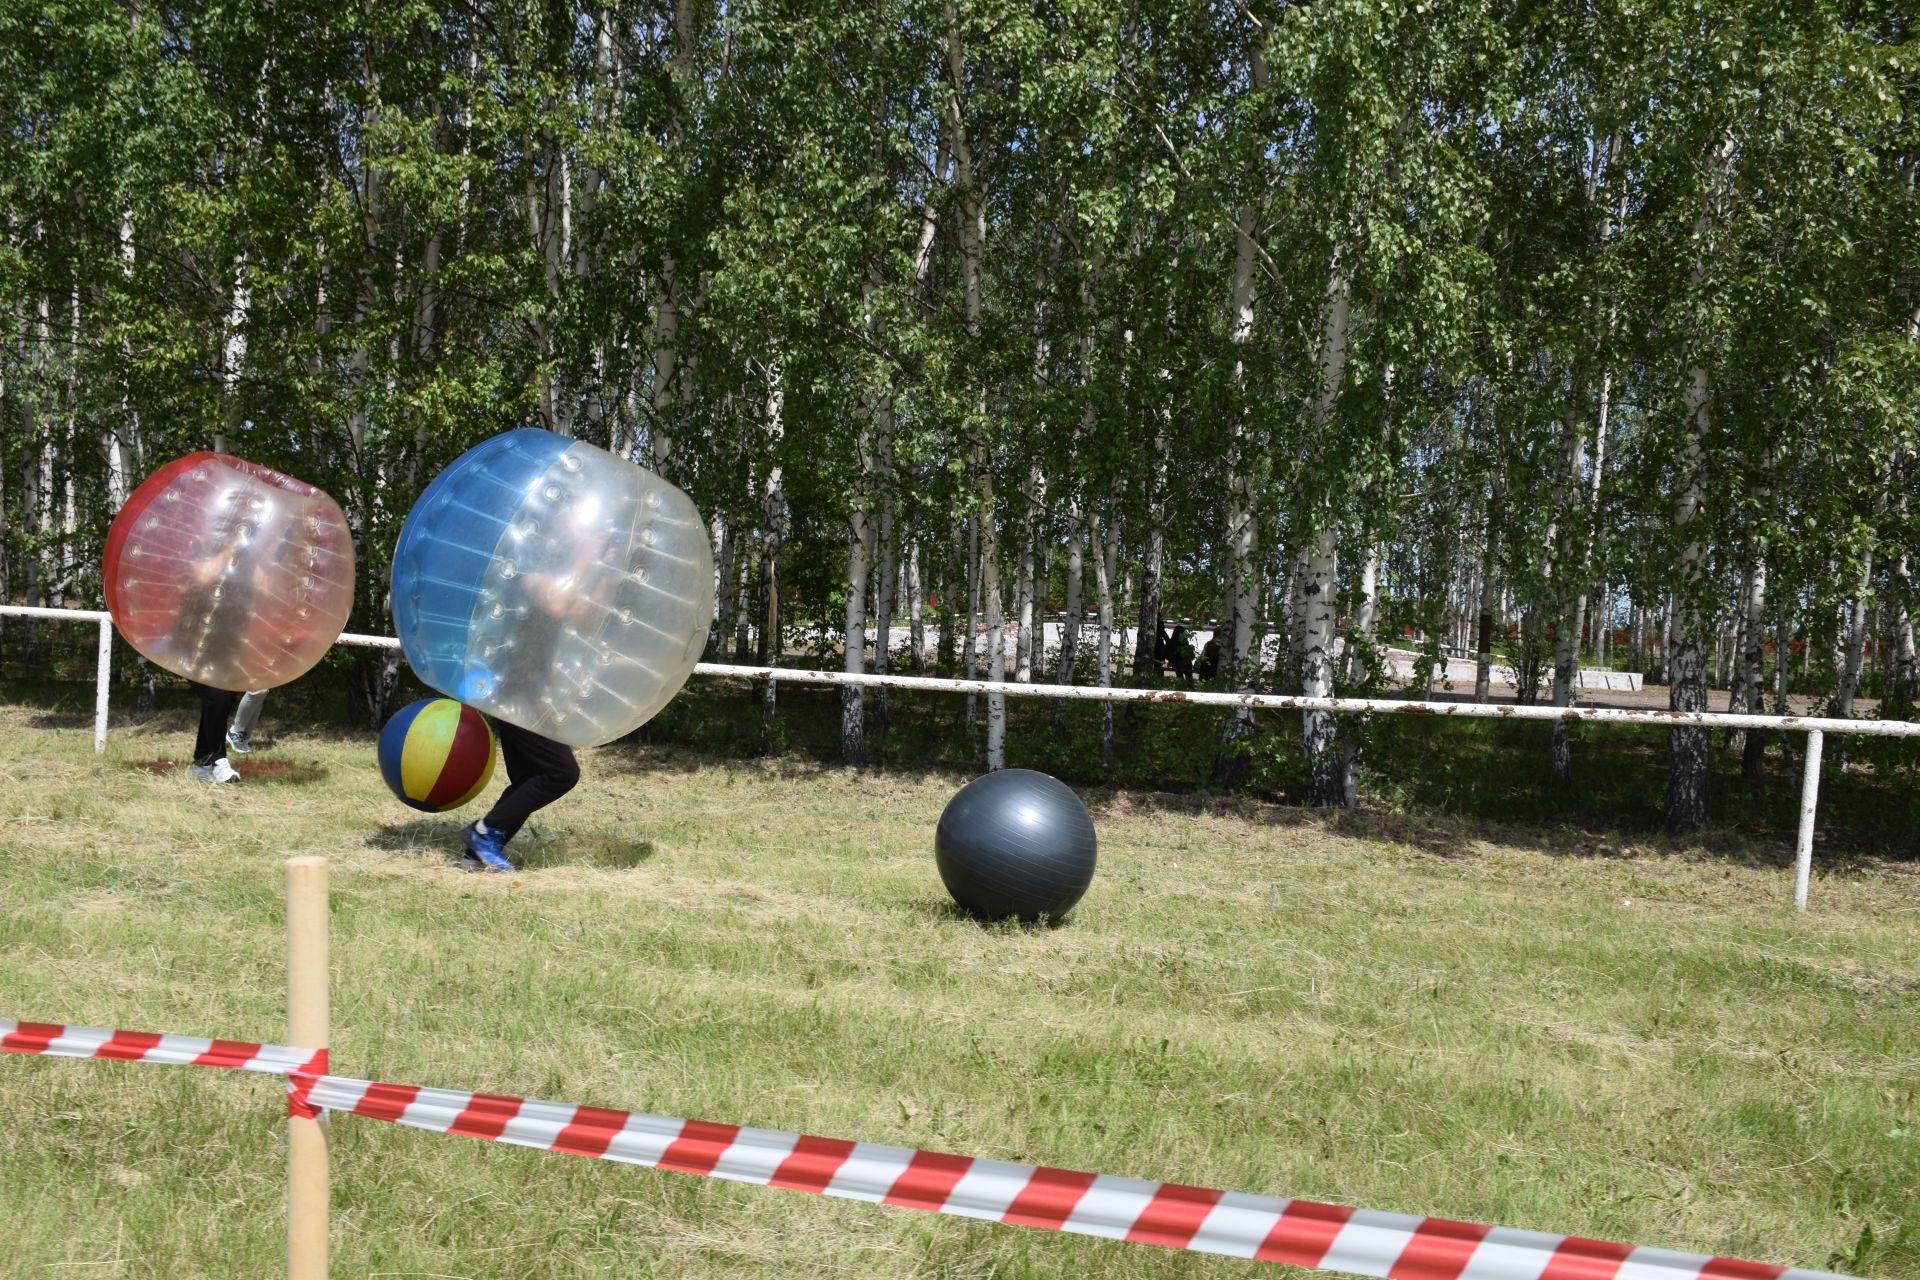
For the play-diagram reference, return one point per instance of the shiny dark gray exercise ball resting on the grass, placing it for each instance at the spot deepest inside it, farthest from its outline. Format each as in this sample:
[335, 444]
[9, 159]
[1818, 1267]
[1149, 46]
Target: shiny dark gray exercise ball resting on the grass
[1017, 843]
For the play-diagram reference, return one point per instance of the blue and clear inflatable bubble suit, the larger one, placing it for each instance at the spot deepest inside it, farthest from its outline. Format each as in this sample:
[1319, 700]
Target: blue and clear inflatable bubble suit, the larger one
[554, 586]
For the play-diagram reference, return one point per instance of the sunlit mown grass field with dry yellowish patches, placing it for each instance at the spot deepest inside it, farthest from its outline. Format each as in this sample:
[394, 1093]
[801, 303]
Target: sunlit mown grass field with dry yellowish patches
[1550, 1028]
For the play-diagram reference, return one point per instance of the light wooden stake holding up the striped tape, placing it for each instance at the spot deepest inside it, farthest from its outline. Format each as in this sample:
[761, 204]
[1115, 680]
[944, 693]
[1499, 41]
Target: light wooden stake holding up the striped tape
[306, 1024]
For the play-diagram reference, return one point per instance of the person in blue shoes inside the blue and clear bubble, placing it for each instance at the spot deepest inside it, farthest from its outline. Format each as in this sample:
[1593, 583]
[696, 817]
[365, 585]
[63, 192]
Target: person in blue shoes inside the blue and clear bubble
[539, 769]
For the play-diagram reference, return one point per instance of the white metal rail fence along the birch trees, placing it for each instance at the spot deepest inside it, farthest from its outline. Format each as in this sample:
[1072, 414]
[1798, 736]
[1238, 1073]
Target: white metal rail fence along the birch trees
[1813, 726]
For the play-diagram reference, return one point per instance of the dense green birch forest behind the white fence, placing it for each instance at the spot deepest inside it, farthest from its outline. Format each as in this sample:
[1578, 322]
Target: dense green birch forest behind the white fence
[1547, 337]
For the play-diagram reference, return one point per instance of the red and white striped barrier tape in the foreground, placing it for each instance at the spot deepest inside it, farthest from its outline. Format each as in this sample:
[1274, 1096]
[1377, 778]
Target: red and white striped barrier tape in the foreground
[1303, 1233]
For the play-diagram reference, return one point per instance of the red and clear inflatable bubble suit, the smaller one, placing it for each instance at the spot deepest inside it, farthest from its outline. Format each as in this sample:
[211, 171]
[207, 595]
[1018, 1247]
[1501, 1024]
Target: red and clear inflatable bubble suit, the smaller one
[229, 573]
